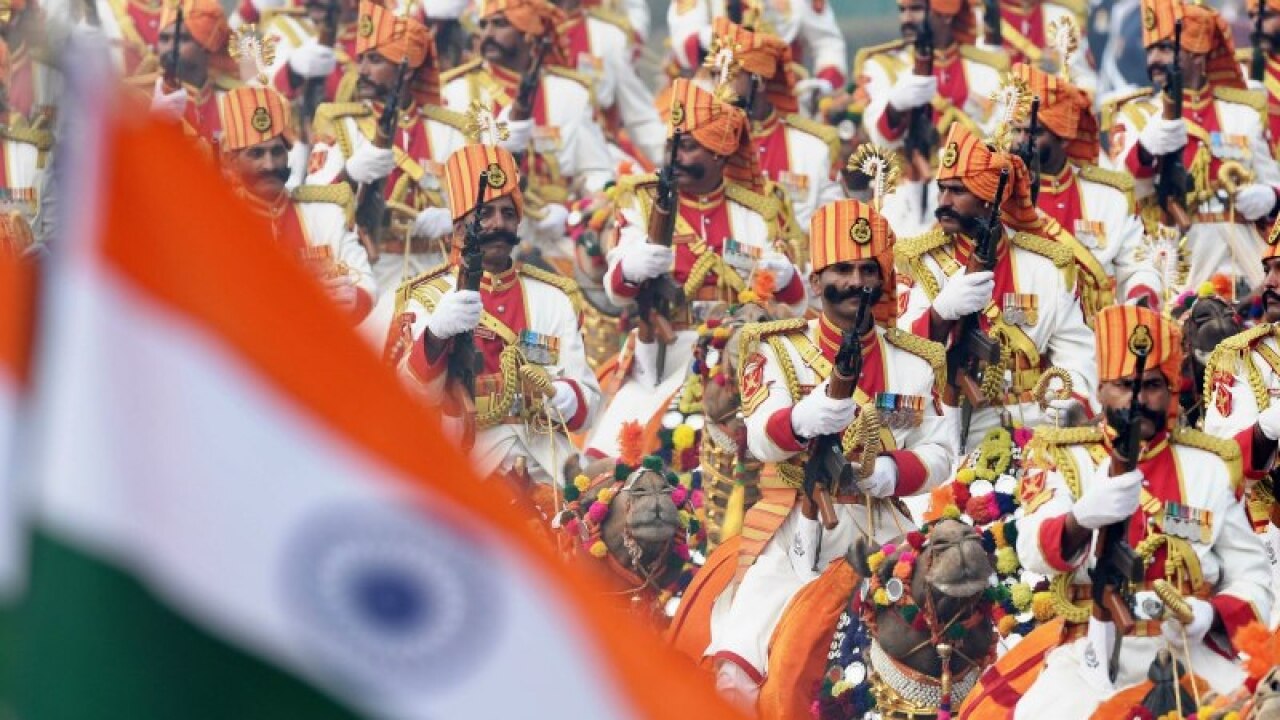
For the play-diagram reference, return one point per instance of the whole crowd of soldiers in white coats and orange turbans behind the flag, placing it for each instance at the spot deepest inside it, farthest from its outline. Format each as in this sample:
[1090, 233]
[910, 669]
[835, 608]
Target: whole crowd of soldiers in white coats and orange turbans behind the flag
[807, 295]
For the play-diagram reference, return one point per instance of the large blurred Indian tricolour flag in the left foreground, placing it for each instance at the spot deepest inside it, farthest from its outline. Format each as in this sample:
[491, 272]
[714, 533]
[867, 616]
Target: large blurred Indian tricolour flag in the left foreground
[240, 513]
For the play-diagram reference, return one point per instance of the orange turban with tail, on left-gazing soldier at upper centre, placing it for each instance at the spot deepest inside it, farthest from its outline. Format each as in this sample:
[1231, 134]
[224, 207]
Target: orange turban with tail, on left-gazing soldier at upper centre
[717, 126]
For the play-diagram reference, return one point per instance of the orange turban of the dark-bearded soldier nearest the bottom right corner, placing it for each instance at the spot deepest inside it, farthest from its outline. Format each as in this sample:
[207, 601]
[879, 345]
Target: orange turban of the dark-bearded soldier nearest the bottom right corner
[1117, 323]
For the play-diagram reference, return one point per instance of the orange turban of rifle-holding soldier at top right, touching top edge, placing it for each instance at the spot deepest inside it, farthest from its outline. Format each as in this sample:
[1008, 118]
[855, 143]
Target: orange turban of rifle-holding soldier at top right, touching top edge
[1205, 33]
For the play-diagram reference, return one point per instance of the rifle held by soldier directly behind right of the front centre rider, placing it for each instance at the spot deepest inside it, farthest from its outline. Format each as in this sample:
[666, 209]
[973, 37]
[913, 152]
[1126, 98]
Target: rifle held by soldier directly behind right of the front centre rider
[972, 349]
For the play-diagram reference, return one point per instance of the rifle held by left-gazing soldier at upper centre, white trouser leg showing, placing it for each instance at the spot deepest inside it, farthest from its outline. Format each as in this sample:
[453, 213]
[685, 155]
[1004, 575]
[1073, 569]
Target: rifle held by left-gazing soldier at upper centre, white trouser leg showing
[659, 297]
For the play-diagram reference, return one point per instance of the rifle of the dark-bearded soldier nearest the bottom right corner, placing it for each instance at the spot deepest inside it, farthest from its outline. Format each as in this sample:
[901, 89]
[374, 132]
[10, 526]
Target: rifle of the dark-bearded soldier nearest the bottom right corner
[1118, 566]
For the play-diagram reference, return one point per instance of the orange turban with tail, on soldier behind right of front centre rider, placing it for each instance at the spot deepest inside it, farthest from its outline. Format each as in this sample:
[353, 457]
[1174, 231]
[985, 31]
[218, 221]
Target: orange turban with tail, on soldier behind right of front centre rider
[967, 158]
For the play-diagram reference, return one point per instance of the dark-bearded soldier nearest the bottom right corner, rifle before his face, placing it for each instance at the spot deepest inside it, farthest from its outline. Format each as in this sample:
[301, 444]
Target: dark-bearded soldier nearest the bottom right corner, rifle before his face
[1180, 509]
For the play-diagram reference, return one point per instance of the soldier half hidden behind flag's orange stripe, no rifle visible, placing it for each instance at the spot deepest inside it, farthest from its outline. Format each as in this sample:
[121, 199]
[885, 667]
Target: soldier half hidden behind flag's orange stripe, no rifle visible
[312, 222]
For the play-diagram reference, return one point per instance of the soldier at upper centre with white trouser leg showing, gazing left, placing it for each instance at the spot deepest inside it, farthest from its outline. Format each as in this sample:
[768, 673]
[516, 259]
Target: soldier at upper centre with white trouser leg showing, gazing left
[724, 233]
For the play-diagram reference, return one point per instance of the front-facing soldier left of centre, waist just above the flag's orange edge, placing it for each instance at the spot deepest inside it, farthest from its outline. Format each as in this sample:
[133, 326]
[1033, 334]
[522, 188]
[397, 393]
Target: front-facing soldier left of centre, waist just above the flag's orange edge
[533, 386]
